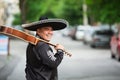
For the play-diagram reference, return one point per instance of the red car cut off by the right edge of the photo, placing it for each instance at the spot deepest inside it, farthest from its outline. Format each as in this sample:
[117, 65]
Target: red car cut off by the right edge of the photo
[115, 46]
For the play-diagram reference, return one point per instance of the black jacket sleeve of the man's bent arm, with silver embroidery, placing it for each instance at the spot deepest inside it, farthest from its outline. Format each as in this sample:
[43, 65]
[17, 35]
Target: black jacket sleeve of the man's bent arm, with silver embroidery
[47, 56]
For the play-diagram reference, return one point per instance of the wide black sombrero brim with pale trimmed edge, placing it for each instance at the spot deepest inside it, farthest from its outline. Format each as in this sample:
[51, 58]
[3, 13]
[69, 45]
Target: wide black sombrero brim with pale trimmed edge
[56, 24]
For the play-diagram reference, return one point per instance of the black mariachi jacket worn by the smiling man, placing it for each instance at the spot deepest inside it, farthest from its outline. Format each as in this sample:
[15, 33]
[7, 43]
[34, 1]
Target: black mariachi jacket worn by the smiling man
[41, 63]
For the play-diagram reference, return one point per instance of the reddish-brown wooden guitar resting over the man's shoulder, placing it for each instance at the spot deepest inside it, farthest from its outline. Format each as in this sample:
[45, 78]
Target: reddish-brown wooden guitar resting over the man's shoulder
[24, 36]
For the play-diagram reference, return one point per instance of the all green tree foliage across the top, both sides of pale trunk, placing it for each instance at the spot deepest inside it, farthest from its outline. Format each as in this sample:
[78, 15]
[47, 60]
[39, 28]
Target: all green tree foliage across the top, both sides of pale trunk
[105, 11]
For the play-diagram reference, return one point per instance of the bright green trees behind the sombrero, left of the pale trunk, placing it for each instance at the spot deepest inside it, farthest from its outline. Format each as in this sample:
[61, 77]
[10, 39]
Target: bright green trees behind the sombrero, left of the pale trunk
[70, 10]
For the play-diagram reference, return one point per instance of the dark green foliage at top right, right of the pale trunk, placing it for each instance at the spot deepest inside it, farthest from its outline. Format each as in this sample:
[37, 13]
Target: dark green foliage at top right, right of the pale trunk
[105, 11]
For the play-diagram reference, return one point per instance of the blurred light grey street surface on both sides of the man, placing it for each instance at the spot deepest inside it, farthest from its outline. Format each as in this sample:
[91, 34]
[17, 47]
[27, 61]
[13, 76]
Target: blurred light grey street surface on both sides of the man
[86, 63]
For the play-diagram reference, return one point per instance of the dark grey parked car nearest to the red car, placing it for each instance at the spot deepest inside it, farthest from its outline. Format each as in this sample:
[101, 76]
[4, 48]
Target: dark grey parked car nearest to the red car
[101, 38]
